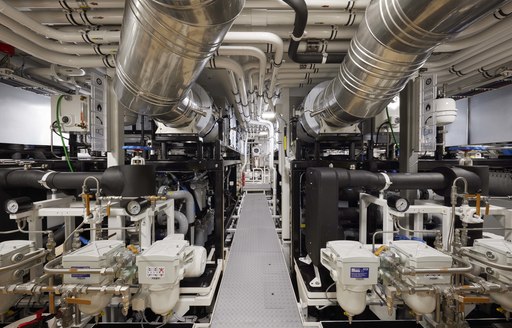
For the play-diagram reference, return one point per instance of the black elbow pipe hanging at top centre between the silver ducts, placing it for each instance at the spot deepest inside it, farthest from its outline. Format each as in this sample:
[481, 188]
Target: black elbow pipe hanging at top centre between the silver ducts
[299, 26]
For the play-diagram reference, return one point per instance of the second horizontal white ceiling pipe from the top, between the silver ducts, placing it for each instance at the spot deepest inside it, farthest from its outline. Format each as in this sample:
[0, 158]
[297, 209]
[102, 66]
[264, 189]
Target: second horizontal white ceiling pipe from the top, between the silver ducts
[264, 17]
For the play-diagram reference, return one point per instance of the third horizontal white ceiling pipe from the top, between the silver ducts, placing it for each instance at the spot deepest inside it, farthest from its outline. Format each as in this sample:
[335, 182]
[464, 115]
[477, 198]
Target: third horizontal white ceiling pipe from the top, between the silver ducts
[328, 32]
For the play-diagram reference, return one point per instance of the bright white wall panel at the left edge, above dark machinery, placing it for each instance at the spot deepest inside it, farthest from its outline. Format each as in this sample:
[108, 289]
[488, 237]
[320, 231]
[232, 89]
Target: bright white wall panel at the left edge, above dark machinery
[25, 117]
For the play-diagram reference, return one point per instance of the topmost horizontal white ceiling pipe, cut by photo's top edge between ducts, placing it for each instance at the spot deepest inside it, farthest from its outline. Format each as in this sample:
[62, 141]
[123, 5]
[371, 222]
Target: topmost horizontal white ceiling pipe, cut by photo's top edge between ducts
[312, 4]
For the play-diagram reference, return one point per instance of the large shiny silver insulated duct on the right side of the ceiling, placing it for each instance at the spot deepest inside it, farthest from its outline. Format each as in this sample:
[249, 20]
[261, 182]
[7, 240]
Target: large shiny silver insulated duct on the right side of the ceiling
[392, 43]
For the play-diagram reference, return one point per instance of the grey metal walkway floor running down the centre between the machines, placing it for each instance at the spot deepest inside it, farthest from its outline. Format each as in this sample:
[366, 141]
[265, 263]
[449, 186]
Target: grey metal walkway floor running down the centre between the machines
[256, 290]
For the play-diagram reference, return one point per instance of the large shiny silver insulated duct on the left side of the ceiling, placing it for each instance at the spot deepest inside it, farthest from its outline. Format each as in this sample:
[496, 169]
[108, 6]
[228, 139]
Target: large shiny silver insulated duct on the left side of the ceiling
[164, 46]
